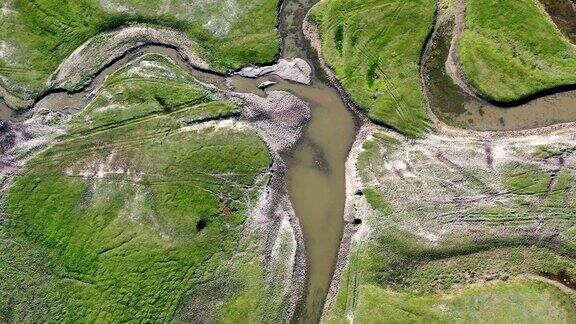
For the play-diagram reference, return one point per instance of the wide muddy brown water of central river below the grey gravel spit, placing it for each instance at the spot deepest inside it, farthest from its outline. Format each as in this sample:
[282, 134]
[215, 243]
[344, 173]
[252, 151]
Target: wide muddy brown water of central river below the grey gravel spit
[316, 182]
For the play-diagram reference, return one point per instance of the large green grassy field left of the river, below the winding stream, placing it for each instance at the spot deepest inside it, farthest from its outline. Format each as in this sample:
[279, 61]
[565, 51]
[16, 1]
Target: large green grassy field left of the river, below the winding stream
[138, 214]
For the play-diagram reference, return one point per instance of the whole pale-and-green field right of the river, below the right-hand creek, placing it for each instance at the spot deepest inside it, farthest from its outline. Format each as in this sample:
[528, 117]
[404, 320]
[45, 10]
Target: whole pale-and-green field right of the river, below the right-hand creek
[450, 213]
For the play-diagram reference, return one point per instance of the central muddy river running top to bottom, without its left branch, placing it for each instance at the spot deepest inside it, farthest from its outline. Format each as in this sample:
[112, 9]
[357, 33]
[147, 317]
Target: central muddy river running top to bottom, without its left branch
[316, 168]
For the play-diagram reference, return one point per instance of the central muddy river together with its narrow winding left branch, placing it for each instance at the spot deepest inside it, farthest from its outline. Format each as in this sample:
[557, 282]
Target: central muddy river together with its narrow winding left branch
[315, 174]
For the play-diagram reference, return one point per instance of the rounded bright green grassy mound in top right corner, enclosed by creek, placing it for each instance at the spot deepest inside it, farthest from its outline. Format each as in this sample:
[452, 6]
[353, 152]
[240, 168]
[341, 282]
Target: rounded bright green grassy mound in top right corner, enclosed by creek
[503, 61]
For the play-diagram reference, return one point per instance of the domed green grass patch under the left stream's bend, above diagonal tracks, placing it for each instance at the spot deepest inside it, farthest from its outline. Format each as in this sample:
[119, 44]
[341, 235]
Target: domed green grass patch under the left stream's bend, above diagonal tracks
[148, 86]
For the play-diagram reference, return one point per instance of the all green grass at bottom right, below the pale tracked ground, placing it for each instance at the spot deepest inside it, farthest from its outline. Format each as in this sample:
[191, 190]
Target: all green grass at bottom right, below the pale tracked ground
[414, 283]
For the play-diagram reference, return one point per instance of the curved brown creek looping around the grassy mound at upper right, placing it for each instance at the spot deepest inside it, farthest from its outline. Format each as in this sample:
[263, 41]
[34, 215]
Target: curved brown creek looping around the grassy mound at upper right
[455, 107]
